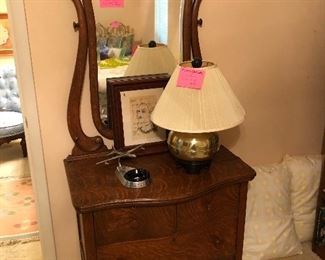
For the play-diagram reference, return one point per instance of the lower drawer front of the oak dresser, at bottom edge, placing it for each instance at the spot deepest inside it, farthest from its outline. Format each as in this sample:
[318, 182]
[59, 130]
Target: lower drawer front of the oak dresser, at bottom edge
[196, 245]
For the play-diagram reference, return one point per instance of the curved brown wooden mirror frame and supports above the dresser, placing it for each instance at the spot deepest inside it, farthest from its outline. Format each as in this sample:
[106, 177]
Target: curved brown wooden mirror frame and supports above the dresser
[86, 27]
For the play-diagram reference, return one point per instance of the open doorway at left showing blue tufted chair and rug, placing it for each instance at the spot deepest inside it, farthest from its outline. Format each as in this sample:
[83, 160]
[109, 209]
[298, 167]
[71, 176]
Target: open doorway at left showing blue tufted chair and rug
[19, 236]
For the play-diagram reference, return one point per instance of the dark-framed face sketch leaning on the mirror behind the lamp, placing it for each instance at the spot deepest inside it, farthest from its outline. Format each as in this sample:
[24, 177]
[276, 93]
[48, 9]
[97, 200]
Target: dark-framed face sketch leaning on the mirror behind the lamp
[130, 103]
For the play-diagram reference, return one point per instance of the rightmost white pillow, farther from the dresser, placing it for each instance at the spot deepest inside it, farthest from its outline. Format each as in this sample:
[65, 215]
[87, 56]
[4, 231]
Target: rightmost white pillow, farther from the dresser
[305, 176]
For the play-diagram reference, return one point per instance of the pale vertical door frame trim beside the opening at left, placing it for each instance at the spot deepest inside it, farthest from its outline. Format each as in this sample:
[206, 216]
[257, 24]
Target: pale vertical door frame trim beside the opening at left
[19, 33]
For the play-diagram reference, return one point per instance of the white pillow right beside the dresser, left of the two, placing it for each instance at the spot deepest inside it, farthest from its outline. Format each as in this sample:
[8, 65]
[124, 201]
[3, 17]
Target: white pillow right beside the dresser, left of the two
[269, 227]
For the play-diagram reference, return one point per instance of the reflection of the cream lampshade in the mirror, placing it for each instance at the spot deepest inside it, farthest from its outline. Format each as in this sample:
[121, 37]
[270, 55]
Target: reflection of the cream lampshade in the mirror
[151, 60]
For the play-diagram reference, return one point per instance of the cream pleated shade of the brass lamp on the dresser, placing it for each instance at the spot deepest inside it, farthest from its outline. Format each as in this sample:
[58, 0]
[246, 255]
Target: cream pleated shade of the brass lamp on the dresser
[212, 108]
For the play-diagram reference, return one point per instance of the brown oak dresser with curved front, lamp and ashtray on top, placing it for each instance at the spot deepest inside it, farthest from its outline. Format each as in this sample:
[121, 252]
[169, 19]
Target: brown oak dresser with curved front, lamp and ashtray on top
[178, 216]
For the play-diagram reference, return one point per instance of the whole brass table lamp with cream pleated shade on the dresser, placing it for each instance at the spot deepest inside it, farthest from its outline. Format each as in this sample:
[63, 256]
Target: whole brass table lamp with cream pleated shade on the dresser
[194, 114]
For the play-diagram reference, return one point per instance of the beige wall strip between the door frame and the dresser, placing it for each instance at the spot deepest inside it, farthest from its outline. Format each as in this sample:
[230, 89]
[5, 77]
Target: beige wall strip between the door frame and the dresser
[53, 46]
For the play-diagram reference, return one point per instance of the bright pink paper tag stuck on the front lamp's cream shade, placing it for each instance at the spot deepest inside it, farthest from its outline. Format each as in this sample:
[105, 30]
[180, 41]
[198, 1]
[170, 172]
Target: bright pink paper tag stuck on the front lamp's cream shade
[190, 78]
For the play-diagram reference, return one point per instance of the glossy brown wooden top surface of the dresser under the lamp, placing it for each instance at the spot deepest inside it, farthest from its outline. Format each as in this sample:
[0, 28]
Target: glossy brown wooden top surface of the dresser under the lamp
[95, 187]
